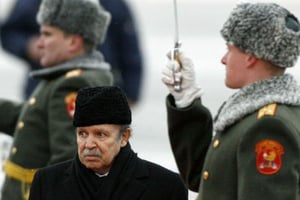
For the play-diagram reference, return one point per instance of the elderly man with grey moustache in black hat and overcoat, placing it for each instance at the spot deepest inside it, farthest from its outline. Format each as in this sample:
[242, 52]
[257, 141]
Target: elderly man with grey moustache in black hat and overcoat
[105, 166]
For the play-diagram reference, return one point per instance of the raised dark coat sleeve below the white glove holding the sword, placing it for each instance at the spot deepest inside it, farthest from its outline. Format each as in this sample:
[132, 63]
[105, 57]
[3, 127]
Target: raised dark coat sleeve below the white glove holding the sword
[190, 133]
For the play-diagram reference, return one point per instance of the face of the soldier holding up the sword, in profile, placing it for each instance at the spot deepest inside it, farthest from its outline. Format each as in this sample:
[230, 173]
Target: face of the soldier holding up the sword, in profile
[236, 62]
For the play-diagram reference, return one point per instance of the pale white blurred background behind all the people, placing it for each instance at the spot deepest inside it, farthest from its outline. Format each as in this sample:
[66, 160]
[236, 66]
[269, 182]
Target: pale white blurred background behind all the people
[199, 25]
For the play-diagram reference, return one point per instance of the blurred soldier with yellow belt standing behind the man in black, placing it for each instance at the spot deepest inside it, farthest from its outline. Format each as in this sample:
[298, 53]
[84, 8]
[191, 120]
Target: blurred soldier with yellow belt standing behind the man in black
[42, 126]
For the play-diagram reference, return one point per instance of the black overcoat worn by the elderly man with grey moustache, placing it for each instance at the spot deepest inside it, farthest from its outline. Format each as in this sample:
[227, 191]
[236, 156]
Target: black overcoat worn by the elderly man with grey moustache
[142, 180]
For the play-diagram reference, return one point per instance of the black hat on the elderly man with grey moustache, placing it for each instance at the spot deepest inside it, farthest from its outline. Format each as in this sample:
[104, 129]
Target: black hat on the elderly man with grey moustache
[101, 105]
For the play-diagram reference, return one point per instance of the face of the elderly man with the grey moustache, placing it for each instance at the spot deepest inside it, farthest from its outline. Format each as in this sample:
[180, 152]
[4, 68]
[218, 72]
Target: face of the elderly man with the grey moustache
[98, 145]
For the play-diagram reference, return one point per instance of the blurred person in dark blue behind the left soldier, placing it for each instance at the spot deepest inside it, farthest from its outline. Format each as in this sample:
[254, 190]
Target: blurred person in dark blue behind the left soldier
[121, 47]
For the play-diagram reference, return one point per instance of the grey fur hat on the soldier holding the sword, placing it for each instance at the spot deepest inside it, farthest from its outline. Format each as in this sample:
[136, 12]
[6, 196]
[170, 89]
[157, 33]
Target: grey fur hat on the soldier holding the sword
[265, 30]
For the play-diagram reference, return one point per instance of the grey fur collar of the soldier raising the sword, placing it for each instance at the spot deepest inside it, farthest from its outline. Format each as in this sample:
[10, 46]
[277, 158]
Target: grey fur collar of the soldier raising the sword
[281, 89]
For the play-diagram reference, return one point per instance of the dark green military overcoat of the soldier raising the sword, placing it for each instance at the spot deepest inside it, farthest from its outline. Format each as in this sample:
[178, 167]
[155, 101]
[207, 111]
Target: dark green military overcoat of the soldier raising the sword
[253, 156]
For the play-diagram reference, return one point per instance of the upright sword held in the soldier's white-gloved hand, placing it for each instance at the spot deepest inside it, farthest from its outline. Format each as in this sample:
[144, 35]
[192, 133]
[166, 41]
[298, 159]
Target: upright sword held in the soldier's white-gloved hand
[175, 51]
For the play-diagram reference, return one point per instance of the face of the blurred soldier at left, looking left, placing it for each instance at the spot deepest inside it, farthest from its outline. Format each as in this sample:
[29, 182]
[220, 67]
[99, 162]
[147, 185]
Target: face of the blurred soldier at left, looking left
[53, 44]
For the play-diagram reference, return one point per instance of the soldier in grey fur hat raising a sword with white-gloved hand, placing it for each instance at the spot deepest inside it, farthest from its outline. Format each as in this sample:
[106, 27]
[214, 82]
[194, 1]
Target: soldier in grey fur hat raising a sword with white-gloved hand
[255, 151]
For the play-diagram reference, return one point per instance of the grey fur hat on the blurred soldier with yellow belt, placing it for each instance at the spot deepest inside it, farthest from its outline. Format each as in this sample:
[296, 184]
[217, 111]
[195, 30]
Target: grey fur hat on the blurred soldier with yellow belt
[84, 17]
